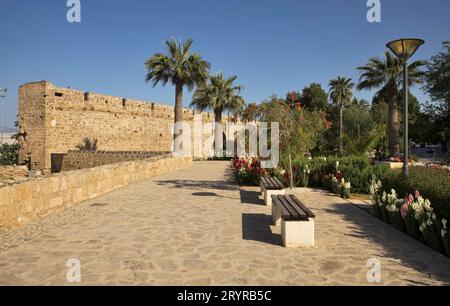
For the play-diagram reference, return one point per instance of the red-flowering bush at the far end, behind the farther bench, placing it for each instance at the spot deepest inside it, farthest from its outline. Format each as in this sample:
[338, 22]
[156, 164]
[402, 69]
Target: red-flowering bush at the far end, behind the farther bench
[248, 170]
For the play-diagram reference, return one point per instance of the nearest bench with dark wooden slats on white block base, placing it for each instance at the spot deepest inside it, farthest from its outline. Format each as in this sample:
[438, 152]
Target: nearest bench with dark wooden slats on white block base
[297, 221]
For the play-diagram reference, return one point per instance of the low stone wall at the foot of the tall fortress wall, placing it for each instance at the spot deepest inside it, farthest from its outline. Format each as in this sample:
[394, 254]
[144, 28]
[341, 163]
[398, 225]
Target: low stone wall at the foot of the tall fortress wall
[75, 160]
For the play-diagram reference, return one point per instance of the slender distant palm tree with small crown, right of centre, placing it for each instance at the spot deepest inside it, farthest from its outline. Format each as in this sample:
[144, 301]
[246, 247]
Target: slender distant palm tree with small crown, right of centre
[341, 94]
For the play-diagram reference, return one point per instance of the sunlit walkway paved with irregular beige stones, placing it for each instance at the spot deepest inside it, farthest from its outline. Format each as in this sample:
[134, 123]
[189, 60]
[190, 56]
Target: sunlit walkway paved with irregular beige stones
[196, 227]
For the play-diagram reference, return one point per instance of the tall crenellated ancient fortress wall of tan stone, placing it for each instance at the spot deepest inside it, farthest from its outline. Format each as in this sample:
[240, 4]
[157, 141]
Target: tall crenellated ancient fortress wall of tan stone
[55, 120]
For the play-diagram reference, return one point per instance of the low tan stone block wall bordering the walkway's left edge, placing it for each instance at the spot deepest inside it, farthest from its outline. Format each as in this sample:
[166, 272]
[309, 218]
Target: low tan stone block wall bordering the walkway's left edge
[24, 203]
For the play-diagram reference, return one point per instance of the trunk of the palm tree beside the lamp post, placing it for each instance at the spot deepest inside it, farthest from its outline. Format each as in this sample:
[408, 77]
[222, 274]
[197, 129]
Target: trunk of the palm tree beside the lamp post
[393, 124]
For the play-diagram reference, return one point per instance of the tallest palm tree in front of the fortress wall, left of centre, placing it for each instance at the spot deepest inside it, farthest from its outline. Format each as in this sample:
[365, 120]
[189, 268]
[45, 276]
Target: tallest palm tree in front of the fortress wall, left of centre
[179, 67]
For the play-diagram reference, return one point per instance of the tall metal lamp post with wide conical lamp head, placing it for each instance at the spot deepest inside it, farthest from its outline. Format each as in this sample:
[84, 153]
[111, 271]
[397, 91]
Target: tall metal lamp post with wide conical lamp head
[404, 49]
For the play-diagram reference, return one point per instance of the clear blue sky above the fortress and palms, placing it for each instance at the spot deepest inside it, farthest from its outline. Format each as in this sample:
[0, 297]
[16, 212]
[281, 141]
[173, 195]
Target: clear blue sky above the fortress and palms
[272, 46]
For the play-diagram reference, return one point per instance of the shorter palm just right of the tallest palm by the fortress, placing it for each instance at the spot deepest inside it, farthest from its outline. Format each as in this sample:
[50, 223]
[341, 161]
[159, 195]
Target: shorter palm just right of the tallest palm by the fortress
[219, 94]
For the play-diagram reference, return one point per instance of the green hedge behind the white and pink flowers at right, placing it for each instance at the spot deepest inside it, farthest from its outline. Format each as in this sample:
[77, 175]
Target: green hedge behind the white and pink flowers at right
[433, 184]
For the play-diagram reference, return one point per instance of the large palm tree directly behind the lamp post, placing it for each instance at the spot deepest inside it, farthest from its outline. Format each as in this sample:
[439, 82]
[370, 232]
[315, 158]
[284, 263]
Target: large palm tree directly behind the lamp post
[386, 75]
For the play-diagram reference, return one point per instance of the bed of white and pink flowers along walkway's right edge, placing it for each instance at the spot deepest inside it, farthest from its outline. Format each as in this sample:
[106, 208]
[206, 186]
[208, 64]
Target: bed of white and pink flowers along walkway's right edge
[413, 215]
